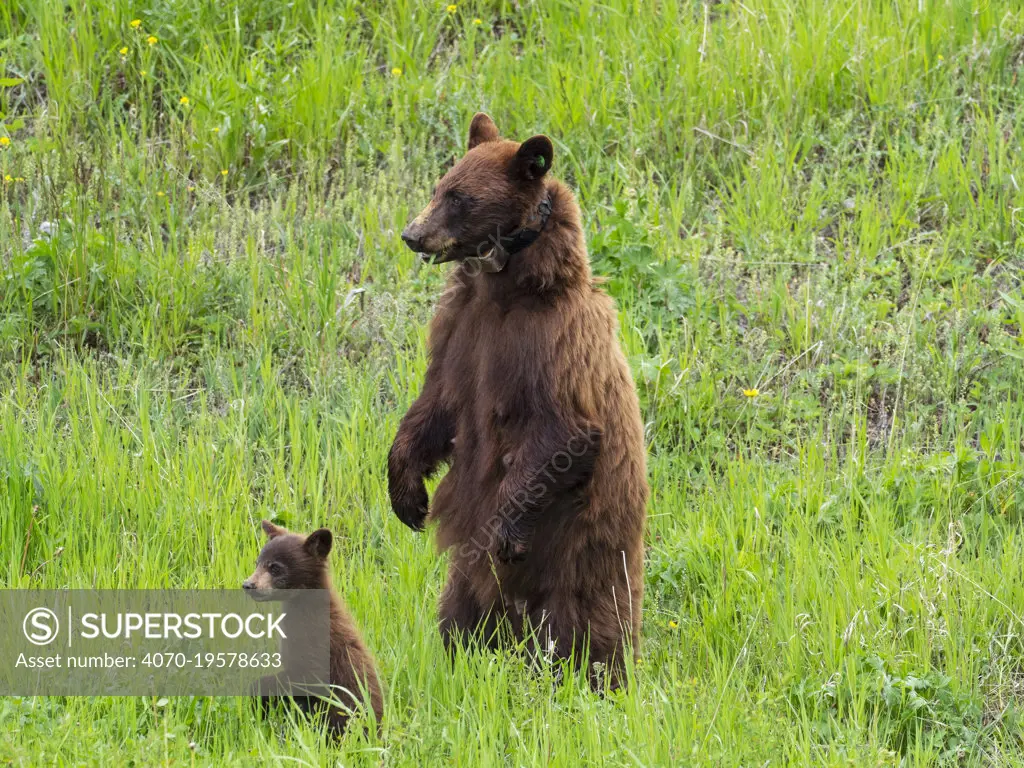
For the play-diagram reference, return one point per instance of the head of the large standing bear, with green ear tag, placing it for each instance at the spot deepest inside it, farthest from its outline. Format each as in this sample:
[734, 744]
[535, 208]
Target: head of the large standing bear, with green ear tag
[494, 190]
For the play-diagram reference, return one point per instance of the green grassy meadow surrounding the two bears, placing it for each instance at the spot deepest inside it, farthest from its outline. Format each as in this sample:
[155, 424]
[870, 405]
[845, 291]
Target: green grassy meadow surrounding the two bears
[821, 201]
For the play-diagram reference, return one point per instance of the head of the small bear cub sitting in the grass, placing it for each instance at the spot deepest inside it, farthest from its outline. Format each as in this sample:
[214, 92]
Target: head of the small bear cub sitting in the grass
[289, 562]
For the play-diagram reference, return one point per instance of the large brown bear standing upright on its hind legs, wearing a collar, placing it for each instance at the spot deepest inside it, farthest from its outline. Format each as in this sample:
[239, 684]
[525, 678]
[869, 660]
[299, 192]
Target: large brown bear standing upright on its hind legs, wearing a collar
[530, 401]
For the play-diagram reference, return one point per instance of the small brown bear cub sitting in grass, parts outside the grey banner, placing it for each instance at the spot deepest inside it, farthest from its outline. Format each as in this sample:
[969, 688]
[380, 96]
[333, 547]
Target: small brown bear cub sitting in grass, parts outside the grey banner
[291, 562]
